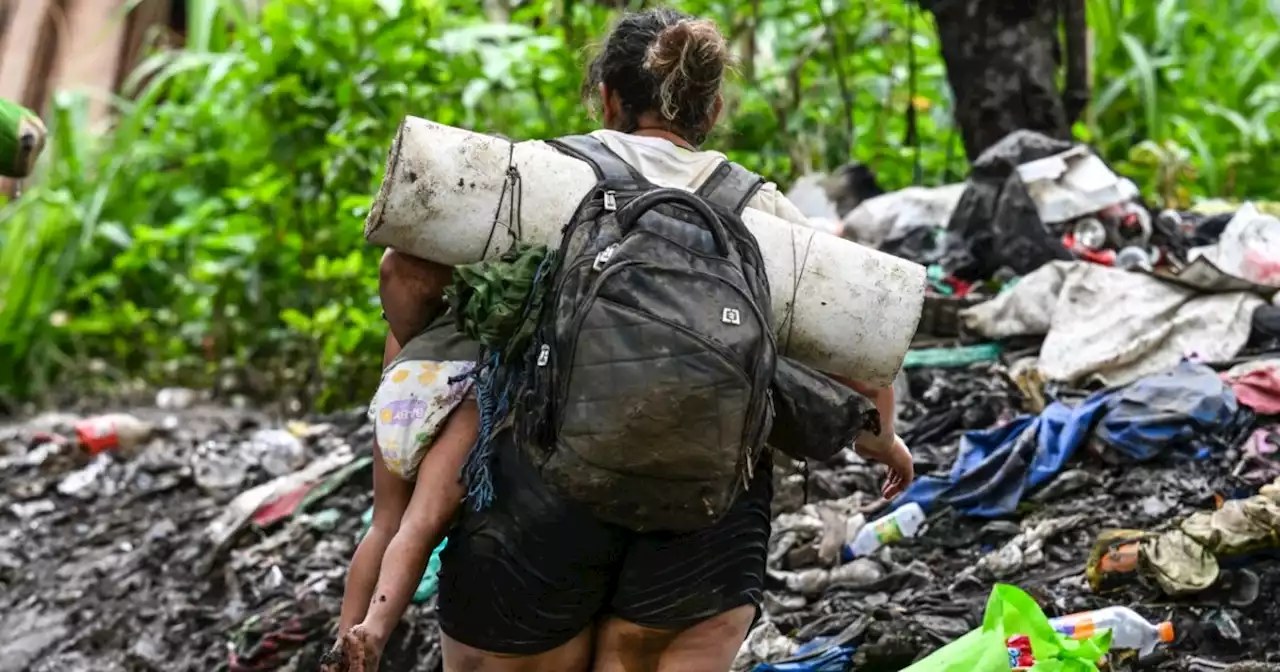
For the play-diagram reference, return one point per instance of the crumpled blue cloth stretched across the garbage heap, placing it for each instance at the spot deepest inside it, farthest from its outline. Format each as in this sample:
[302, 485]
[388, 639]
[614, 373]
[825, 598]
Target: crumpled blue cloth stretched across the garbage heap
[1187, 409]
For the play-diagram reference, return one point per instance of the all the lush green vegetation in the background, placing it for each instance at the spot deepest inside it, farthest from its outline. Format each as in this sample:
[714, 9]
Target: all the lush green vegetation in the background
[218, 226]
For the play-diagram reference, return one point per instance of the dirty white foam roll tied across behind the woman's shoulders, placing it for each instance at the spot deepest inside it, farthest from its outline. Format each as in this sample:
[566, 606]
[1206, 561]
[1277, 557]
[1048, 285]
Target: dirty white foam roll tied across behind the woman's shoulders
[840, 308]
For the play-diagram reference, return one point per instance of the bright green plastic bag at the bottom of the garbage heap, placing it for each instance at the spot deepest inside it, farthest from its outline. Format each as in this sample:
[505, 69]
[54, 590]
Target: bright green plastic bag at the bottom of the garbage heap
[1012, 612]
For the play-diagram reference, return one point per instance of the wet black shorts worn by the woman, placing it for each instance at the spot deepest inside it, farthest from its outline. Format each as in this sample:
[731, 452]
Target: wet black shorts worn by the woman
[534, 570]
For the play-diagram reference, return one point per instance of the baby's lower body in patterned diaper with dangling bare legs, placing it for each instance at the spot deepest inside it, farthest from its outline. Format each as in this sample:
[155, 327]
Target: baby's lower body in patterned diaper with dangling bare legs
[426, 423]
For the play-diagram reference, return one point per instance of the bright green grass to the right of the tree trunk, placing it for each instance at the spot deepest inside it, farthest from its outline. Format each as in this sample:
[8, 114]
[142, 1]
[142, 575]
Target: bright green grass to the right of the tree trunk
[1192, 83]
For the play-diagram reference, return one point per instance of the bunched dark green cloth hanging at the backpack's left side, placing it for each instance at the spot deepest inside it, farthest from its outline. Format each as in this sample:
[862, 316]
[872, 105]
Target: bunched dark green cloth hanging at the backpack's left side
[488, 299]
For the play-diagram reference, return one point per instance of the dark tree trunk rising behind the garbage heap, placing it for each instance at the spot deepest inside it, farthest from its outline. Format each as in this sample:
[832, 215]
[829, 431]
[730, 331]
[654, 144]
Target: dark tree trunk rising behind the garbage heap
[1003, 60]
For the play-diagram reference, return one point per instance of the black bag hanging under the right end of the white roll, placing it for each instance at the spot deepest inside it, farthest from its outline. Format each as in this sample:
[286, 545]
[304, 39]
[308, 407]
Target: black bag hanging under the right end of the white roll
[815, 415]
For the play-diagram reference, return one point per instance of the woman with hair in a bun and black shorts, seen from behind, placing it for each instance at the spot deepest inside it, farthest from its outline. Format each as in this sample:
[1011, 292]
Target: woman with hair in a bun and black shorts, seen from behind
[534, 582]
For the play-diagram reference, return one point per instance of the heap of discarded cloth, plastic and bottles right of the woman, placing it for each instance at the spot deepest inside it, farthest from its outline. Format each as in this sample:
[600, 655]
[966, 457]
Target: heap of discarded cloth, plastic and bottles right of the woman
[1094, 401]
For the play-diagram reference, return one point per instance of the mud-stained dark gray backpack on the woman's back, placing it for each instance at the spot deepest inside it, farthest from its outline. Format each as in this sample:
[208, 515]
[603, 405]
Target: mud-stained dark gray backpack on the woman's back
[647, 390]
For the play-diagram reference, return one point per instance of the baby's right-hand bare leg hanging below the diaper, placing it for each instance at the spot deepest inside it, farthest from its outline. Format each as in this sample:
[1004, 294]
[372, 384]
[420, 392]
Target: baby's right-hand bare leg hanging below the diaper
[435, 502]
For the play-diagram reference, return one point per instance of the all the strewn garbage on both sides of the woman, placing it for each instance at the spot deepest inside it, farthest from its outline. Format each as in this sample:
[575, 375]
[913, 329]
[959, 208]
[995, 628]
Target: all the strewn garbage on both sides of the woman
[1094, 405]
